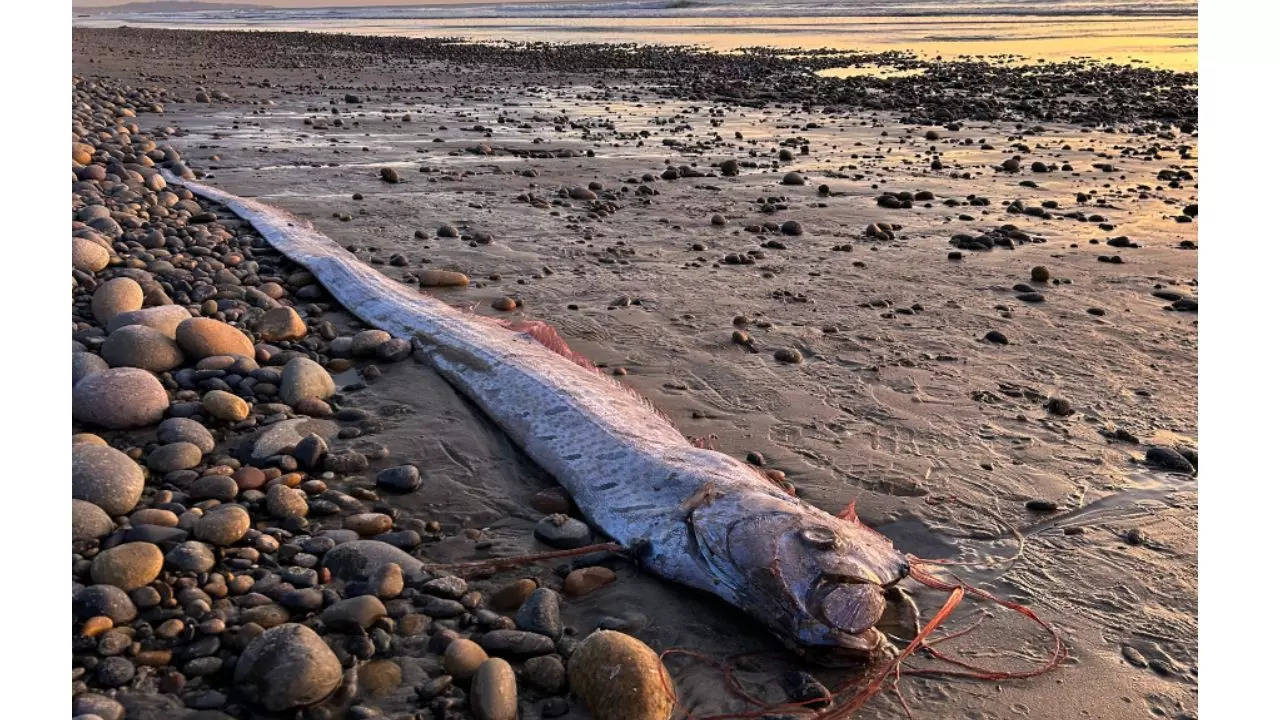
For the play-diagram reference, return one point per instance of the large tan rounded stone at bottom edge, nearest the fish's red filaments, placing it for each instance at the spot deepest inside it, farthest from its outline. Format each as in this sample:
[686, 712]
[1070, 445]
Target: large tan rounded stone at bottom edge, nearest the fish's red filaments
[620, 678]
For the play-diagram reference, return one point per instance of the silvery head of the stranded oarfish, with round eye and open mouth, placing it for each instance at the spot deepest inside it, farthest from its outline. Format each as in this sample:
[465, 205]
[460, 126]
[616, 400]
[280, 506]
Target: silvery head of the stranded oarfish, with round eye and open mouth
[816, 581]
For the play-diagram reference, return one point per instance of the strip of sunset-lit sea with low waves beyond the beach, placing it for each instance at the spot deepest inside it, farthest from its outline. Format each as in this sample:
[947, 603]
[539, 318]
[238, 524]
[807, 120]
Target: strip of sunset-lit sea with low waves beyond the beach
[1165, 42]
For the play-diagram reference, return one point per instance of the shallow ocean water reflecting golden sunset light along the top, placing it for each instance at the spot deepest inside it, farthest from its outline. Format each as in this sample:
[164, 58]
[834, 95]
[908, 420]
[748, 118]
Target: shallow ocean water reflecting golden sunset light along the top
[1156, 33]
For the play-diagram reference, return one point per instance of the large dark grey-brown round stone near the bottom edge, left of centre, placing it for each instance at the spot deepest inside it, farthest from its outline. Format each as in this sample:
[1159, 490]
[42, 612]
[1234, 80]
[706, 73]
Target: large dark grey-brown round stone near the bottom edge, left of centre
[287, 667]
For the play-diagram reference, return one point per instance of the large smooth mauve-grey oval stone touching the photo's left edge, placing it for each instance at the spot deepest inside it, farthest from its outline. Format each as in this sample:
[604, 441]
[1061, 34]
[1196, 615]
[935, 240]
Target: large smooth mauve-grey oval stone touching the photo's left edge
[120, 399]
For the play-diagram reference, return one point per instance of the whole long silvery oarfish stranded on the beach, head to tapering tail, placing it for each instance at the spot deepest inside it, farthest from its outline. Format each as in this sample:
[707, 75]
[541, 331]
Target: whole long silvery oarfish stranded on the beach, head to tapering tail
[688, 514]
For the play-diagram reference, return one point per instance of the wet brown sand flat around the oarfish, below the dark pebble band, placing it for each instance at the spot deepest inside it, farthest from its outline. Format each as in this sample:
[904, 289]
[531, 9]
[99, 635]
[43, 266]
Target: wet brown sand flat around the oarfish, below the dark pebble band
[900, 404]
